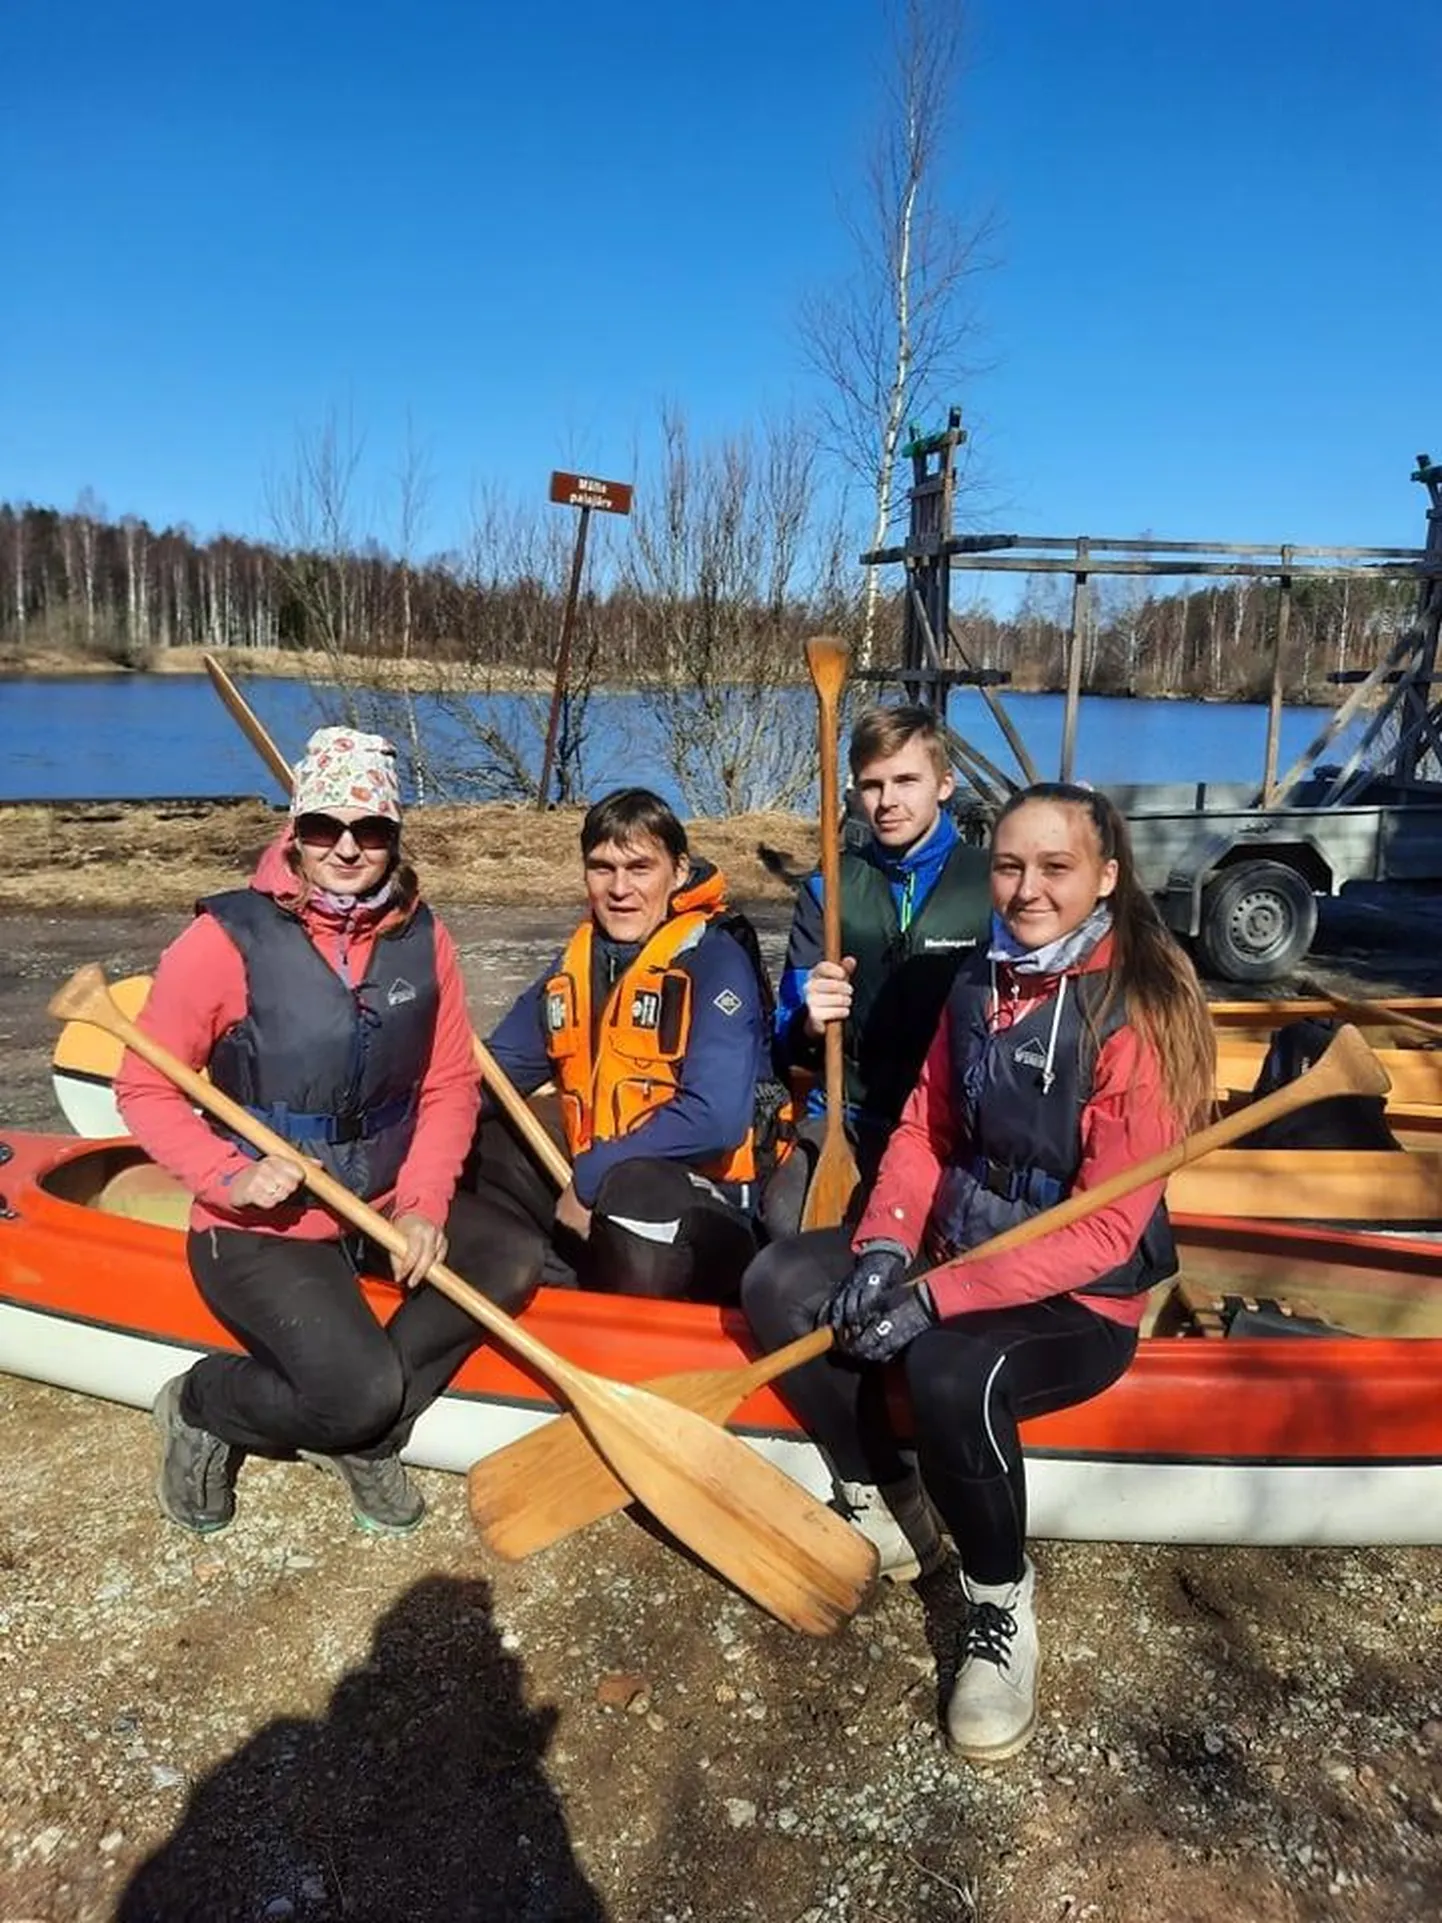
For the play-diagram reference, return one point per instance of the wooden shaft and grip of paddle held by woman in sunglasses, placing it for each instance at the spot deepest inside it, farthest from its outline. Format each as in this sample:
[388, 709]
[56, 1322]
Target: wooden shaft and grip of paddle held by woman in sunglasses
[86, 997]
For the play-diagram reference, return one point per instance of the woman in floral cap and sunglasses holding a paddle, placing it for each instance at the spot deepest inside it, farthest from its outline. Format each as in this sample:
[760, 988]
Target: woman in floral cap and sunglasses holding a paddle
[328, 999]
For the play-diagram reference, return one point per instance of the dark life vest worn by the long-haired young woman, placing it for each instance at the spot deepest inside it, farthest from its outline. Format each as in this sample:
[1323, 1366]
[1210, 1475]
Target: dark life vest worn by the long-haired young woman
[1022, 1095]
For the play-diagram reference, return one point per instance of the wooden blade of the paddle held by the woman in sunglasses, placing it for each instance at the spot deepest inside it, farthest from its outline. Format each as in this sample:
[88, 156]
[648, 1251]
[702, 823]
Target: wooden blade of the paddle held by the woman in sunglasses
[733, 1509]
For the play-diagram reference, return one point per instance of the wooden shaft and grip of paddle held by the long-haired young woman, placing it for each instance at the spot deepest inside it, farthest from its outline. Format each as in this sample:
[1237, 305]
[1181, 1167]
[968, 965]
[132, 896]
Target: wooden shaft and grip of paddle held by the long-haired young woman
[1349, 1066]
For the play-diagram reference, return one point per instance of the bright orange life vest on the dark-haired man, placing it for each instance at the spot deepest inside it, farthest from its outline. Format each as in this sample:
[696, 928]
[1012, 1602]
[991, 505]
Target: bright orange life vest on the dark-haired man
[641, 1036]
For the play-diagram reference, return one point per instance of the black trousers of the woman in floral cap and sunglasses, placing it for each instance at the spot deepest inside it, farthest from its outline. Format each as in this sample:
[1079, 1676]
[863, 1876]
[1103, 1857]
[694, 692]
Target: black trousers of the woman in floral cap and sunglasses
[320, 1372]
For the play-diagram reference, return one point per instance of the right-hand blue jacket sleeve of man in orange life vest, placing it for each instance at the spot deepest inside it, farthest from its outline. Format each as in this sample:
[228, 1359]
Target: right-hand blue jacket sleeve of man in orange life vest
[726, 1051]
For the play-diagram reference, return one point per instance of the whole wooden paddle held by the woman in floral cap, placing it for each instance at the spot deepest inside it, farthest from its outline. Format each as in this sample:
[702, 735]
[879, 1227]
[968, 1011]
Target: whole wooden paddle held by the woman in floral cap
[714, 1493]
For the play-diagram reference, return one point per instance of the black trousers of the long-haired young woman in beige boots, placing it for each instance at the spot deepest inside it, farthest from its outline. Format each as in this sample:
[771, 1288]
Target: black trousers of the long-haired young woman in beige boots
[972, 1382]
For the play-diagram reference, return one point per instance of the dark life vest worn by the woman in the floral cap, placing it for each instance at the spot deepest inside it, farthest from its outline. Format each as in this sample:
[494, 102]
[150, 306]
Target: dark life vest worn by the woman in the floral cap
[334, 1070]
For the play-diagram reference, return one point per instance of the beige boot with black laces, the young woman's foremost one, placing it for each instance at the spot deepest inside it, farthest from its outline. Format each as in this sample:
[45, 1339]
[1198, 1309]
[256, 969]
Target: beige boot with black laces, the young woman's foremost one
[993, 1707]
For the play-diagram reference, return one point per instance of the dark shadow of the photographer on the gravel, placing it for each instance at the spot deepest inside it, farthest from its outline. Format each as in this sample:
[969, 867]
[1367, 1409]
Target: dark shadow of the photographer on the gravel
[418, 1797]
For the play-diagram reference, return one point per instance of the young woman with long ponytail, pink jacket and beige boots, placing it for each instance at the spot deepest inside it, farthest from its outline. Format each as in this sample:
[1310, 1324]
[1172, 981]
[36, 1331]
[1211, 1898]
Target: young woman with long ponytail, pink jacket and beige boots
[1076, 1047]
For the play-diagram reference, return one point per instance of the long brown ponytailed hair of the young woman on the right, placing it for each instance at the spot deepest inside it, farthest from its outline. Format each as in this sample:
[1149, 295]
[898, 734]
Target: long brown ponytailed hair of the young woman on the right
[1151, 970]
